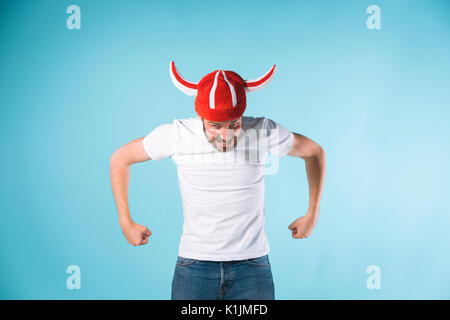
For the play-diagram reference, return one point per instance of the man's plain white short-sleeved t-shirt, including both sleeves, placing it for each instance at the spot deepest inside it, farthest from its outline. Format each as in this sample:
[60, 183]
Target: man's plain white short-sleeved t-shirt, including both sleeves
[222, 192]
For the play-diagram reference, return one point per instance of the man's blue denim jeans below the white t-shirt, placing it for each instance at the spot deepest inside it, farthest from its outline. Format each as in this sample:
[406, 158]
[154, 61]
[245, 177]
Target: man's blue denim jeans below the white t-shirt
[249, 279]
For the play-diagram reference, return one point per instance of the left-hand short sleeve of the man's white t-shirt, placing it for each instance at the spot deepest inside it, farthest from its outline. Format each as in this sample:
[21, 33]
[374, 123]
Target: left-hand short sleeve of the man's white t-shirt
[160, 143]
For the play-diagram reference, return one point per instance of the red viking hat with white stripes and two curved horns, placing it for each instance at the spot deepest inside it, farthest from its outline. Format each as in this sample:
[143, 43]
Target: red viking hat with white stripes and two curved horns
[220, 95]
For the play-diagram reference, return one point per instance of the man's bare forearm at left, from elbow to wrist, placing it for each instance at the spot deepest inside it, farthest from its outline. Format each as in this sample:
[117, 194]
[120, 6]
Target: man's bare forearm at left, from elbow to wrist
[120, 177]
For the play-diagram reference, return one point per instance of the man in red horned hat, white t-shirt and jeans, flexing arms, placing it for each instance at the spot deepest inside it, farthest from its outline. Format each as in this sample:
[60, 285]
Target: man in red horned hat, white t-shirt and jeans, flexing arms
[220, 157]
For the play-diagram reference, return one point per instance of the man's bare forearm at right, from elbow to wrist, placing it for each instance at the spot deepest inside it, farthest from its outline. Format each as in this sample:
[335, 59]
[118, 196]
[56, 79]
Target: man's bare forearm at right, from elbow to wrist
[315, 171]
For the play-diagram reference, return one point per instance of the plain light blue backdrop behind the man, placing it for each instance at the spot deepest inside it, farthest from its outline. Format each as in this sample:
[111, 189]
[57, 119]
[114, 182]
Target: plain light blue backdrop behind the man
[377, 101]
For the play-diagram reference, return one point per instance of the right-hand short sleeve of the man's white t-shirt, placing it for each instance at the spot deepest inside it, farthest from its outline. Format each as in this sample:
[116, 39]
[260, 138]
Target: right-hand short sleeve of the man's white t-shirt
[279, 139]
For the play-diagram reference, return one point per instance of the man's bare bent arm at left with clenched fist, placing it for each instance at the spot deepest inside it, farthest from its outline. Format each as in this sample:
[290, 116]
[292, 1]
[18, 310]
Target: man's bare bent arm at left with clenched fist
[120, 163]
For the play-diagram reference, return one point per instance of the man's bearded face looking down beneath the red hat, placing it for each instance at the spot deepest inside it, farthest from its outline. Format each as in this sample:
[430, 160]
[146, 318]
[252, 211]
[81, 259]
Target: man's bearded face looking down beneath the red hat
[223, 134]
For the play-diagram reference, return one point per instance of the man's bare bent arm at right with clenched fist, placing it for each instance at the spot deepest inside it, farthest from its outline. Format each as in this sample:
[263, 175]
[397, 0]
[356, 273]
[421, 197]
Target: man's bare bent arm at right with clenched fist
[315, 163]
